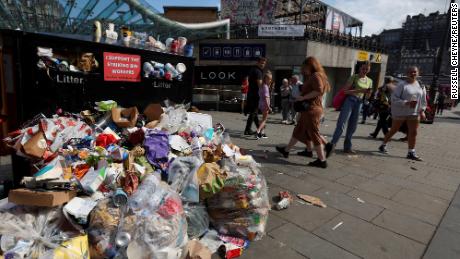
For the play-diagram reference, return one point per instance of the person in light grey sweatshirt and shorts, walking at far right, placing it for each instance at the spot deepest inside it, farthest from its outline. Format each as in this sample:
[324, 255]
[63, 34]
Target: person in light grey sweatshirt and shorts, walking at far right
[408, 104]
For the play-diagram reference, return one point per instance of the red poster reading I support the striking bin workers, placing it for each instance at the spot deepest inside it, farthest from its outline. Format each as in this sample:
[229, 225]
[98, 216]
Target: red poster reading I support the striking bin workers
[122, 67]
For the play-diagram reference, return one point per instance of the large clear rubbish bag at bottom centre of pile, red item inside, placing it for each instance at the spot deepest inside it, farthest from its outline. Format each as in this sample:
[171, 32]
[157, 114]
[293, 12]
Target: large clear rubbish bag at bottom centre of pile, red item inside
[155, 222]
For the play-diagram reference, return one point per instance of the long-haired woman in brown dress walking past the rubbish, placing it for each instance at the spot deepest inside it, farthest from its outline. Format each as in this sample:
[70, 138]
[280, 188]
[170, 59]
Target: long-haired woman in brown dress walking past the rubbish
[307, 128]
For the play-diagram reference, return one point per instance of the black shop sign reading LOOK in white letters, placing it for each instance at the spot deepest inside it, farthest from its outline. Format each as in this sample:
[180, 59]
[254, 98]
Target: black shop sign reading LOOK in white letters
[221, 75]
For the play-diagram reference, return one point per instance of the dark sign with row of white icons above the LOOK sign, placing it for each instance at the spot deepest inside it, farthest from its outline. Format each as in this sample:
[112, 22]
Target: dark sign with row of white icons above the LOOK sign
[231, 51]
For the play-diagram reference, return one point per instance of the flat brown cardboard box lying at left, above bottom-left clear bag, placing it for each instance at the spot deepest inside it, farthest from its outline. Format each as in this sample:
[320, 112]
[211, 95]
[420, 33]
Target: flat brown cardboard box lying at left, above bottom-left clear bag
[40, 198]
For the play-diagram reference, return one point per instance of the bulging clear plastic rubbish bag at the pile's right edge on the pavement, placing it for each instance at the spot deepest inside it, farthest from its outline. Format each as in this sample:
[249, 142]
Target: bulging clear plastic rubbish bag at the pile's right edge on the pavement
[241, 208]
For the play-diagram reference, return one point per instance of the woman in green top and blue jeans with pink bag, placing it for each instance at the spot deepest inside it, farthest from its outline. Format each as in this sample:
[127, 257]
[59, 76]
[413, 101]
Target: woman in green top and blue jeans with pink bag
[357, 86]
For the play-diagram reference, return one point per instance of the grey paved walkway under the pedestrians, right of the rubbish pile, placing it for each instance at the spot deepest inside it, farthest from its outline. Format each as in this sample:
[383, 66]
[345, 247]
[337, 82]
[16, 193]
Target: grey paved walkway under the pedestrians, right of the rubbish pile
[388, 207]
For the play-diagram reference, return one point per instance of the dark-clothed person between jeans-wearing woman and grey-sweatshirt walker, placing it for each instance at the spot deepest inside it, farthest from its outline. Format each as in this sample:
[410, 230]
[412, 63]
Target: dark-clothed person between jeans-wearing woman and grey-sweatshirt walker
[383, 98]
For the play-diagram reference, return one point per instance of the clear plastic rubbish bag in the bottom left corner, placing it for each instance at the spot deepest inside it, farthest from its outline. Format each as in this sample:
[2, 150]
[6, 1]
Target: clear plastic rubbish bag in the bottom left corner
[35, 233]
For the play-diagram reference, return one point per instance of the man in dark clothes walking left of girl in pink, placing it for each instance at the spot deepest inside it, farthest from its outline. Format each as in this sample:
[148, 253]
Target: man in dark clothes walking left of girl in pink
[255, 81]
